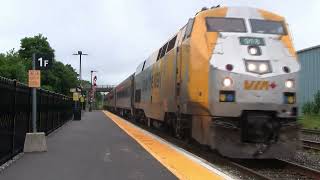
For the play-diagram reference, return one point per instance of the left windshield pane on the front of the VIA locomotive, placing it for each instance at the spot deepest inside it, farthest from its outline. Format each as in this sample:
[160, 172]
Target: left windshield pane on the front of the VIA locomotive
[225, 25]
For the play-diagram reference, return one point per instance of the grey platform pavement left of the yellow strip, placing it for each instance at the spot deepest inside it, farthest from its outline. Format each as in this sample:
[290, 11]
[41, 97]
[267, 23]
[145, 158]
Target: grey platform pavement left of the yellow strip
[94, 148]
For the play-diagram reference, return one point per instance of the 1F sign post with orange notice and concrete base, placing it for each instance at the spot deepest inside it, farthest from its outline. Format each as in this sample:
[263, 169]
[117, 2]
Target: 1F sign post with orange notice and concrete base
[36, 142]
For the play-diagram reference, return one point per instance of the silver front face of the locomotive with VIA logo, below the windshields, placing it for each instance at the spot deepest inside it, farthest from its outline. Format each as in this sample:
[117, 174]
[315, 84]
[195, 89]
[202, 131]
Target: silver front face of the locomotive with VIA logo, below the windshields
[259, 120]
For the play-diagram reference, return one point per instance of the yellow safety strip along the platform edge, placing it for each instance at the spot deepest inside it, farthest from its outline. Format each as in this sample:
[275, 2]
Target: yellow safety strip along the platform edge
[178, 163]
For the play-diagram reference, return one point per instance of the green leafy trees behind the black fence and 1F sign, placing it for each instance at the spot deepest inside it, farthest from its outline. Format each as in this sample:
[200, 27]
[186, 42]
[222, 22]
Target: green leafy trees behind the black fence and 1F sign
[15, 65]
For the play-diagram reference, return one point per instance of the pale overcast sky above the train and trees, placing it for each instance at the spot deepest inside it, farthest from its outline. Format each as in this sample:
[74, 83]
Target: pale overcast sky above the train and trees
[119, 34]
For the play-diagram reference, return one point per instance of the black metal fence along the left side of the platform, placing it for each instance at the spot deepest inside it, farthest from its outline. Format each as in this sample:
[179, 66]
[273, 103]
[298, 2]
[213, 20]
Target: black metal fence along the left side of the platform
[15, 115]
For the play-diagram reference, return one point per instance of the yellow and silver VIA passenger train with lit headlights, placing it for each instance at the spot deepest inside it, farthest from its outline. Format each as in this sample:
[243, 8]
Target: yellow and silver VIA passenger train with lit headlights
[227, 79]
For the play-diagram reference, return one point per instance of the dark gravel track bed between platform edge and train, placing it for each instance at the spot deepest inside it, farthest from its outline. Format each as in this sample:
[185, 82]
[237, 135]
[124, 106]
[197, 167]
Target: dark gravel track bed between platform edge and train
[254, 169]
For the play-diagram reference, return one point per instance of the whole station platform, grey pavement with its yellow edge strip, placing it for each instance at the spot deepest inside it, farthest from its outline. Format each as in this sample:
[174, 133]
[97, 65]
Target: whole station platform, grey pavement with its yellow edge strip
[104, 146]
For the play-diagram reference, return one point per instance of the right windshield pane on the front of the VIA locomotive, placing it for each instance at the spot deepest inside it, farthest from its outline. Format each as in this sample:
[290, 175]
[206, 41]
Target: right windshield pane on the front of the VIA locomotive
[267, 27]
